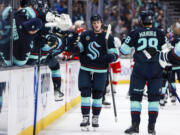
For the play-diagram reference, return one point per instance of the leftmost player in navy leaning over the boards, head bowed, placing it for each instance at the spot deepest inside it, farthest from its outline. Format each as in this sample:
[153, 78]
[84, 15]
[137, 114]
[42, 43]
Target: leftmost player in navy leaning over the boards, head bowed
[26, 25]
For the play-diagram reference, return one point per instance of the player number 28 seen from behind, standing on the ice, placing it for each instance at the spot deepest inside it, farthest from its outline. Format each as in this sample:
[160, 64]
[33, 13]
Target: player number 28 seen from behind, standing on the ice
[146, 69]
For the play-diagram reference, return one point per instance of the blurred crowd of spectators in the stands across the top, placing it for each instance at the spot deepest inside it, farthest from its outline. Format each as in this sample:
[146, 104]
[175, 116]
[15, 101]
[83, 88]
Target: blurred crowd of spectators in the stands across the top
[121, 14]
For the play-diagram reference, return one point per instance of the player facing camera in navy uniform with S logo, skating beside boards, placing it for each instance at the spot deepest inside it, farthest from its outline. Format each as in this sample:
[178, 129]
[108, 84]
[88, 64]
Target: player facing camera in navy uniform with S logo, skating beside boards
[94, 63]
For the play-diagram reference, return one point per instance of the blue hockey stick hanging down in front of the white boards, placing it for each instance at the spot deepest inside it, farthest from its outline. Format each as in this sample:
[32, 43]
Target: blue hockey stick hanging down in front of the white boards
[36, 77]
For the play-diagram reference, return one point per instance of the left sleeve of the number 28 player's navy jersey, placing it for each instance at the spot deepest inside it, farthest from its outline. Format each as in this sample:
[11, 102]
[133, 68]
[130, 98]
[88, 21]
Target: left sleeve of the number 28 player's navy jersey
[128, 43]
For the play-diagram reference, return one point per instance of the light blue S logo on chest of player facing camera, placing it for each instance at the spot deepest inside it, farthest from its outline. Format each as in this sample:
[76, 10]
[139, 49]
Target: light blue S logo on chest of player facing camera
[94, 52]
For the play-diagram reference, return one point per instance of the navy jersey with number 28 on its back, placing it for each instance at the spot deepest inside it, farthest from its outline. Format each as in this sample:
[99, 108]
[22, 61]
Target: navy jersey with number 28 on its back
[141, 39]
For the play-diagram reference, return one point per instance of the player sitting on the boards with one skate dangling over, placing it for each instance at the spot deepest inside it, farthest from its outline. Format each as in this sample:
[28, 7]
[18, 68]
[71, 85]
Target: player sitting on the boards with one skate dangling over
[50, 46]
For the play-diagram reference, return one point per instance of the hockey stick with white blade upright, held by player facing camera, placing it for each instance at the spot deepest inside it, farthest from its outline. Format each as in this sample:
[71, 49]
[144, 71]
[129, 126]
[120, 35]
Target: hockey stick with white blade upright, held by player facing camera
[109, 70]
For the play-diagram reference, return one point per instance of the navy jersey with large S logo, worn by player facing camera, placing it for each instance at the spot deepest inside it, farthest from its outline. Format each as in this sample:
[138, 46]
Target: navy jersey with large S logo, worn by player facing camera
[93, 50]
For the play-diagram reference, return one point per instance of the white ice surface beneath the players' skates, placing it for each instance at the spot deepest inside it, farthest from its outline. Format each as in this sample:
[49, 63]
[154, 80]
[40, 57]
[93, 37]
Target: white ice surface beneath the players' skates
[168, 122]
